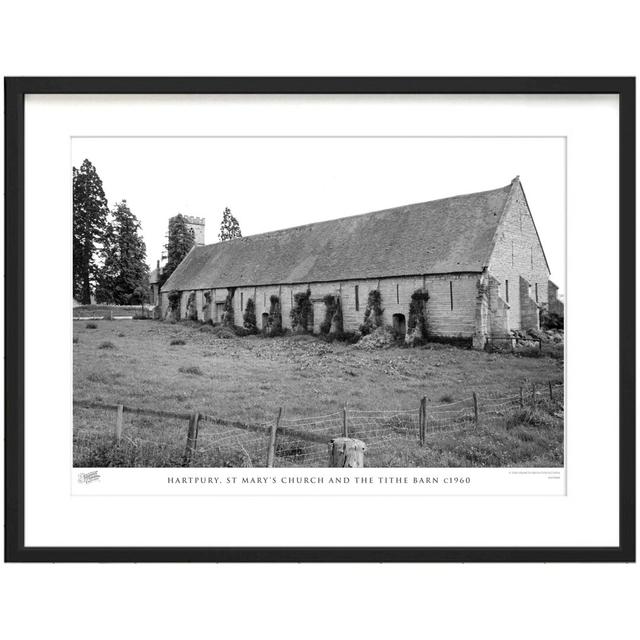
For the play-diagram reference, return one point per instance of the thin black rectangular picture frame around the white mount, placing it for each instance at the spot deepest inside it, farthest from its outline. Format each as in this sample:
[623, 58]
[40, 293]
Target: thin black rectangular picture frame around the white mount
[15, 91]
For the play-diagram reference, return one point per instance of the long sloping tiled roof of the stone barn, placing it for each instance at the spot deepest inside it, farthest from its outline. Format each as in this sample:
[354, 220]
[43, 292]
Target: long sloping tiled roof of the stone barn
[451, 235]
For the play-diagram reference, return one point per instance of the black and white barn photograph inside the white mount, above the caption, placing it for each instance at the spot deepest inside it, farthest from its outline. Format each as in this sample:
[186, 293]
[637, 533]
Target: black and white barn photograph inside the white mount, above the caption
[321, 301]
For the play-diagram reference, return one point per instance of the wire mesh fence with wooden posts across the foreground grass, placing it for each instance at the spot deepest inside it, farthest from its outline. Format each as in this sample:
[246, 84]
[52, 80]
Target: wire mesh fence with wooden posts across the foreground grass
[115, 435]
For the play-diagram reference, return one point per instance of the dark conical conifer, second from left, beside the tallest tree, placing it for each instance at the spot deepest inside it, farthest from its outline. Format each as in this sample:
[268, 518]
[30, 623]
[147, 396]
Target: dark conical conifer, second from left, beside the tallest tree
[124, 276]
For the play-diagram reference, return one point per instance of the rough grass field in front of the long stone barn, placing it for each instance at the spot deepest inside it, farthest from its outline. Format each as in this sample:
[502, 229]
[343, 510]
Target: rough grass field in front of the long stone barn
[184, 367]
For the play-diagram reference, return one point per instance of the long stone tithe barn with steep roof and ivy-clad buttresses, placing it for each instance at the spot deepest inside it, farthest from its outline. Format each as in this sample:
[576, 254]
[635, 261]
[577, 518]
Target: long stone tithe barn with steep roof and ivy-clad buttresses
[478, 256]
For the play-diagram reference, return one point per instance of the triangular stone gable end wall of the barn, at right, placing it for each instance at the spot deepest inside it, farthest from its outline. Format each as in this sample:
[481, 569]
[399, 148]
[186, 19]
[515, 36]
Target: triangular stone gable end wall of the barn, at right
[518, 255]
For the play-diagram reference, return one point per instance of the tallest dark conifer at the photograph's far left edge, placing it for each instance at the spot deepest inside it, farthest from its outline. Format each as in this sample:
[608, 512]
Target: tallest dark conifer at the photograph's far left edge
[90, 210]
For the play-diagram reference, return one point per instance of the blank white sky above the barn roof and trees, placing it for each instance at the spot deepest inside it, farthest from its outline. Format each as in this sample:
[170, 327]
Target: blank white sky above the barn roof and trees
[277, 182]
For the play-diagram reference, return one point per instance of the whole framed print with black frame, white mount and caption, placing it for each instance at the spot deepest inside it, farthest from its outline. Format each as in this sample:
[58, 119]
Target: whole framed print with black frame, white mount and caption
[320, 319]
